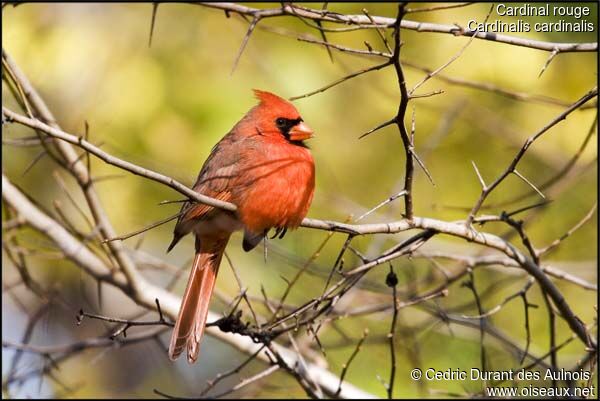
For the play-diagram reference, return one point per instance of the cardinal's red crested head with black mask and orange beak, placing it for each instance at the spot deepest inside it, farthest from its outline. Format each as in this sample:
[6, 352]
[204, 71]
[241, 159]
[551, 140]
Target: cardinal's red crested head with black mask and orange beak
[277, 117]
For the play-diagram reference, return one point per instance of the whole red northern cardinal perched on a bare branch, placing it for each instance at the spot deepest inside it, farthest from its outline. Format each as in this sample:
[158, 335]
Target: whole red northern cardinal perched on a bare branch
[264, 168]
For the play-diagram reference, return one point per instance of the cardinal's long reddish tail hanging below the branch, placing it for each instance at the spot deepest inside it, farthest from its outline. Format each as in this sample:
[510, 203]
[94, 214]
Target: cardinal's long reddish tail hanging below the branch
[194, 306]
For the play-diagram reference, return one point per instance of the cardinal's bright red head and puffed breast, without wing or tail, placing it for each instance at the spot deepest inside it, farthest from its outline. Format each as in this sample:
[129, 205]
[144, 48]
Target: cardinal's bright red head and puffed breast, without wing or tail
[277, 174]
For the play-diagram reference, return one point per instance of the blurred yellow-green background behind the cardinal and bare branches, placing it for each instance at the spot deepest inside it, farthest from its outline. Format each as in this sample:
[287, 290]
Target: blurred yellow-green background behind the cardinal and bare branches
[164, 107]
